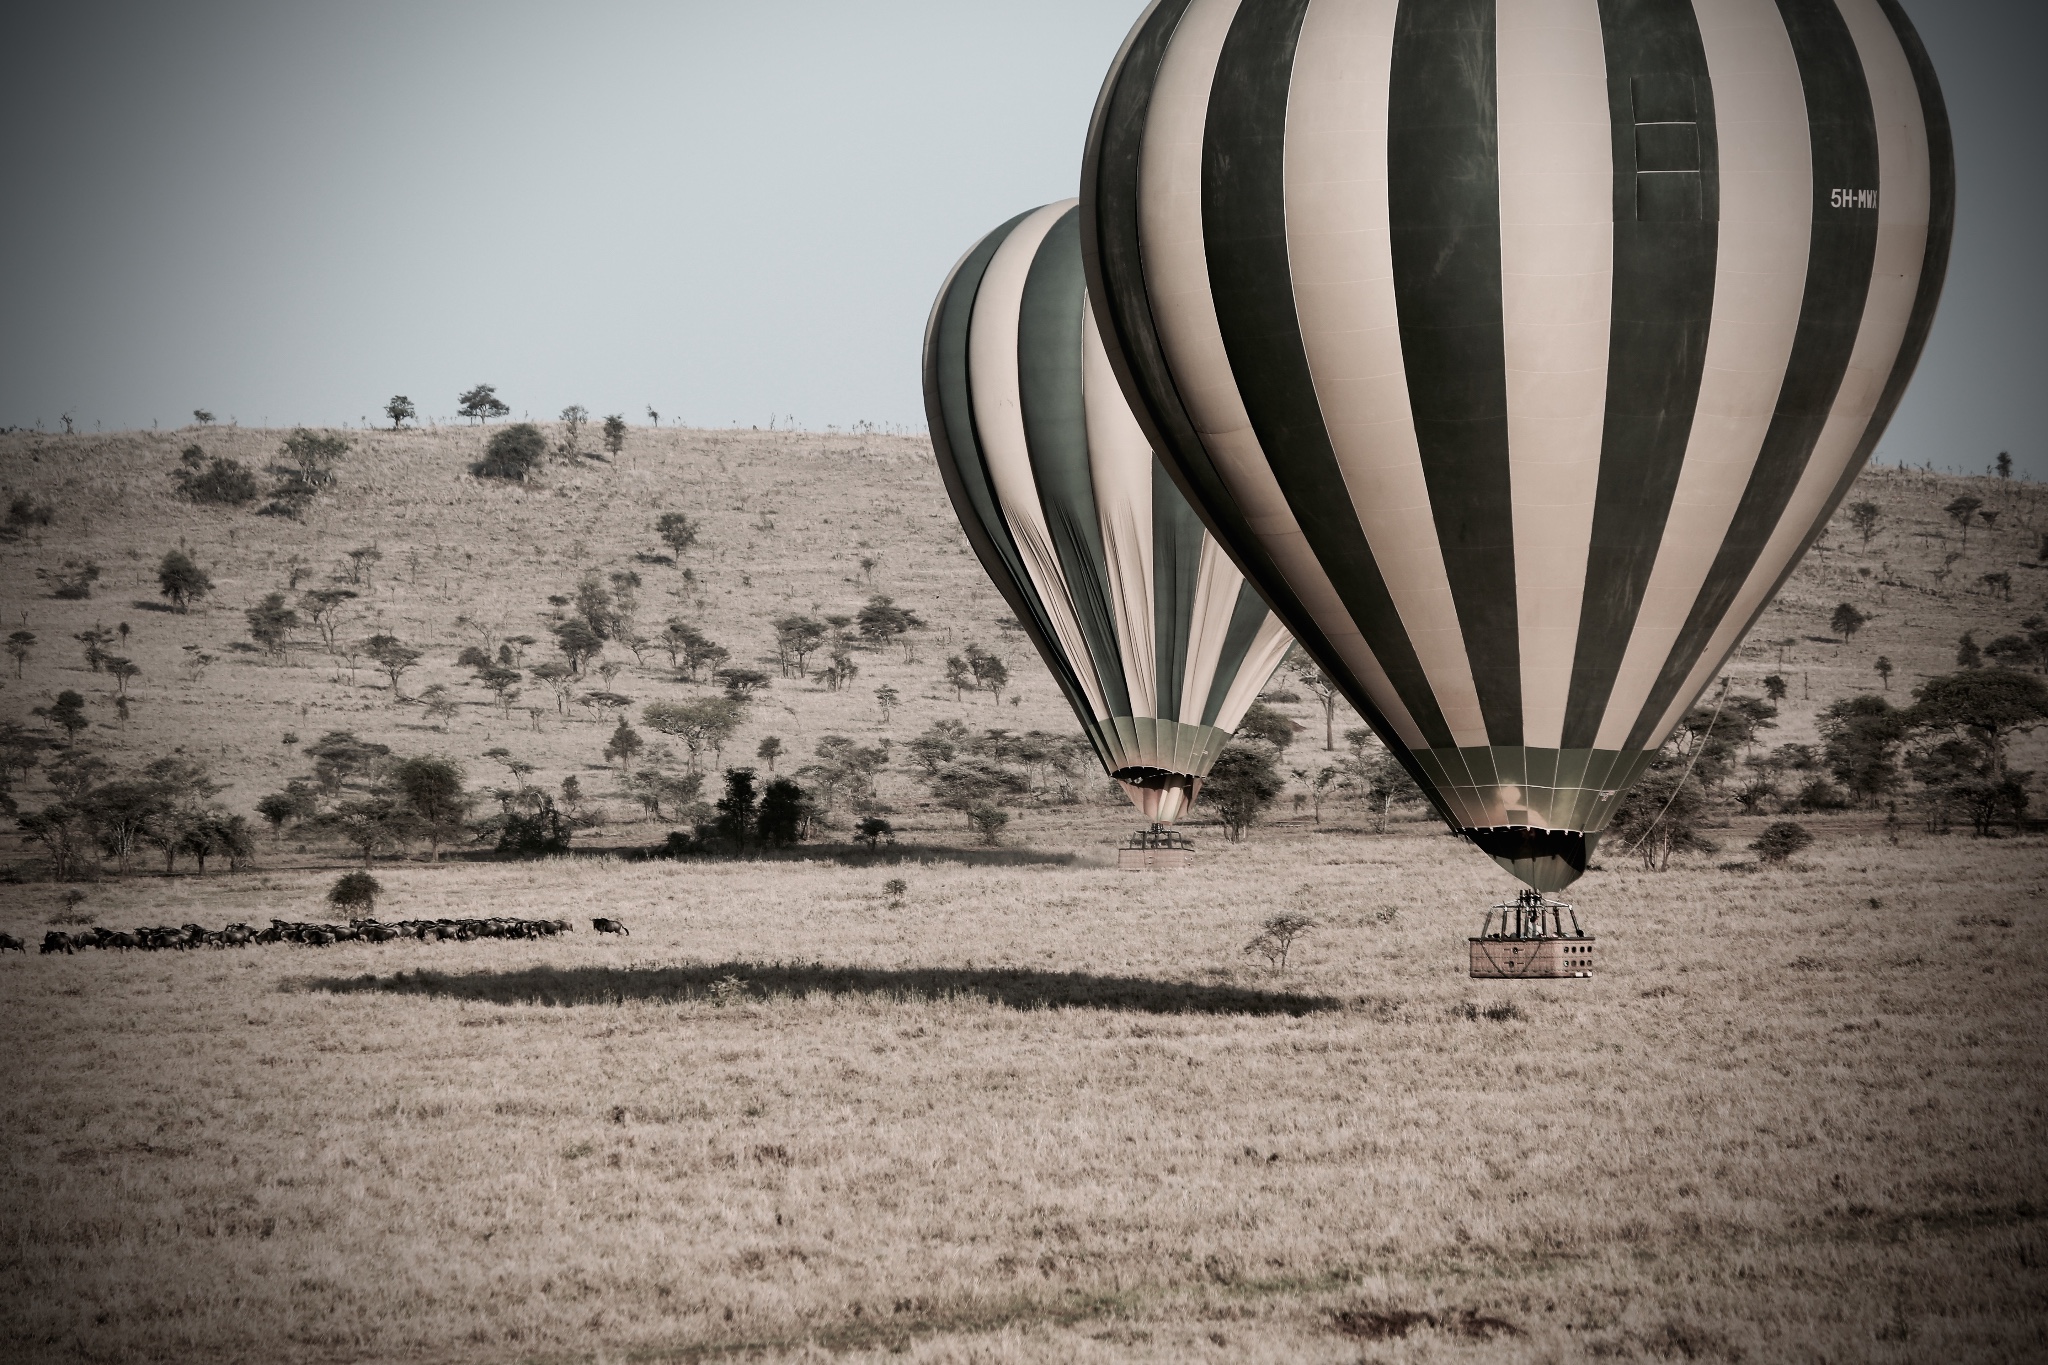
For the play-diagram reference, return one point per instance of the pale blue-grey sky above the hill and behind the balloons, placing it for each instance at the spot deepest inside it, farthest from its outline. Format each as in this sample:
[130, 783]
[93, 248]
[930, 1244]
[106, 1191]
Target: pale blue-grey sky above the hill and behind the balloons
[288, 214]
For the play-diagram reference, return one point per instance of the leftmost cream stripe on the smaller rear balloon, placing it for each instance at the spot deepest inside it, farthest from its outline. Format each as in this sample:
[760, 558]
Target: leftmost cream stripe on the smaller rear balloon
[992, 373]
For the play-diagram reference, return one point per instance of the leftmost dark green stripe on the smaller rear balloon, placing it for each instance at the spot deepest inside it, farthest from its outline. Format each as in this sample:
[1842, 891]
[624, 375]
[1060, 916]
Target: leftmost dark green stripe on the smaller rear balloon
[962, 466]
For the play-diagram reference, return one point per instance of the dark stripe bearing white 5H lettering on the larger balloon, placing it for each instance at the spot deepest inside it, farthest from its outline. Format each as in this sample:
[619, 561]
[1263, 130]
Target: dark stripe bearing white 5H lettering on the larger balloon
[1838, 283]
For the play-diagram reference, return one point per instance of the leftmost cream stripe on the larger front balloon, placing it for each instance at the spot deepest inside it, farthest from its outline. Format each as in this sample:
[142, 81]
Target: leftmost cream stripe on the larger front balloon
[1177, 279]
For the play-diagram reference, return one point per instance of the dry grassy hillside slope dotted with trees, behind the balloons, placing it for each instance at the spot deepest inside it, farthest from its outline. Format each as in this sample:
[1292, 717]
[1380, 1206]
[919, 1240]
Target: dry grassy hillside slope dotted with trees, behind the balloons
[792, 523]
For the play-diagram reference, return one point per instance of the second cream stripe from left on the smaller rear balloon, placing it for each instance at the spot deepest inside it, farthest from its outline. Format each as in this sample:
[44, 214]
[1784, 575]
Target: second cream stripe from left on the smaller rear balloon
[1121, 468]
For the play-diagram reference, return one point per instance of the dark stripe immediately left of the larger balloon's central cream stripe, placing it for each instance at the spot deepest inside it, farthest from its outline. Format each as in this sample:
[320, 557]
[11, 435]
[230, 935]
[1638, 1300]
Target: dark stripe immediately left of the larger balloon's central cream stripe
[1445, 193]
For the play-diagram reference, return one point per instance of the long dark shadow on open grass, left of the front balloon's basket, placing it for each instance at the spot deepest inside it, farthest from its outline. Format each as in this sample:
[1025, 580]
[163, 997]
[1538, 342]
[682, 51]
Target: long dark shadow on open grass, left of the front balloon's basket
[755, 981]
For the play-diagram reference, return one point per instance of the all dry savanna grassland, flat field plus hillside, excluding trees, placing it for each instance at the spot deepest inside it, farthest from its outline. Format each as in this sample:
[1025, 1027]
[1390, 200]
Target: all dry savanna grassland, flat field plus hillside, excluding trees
[953, 1102]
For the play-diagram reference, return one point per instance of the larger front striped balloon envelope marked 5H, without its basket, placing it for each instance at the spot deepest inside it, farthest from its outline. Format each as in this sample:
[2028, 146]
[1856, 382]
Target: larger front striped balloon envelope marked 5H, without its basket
[1519, 349]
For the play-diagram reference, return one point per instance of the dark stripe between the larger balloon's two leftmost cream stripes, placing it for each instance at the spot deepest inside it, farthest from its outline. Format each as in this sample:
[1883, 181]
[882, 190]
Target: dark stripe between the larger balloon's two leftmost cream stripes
[1244, 226]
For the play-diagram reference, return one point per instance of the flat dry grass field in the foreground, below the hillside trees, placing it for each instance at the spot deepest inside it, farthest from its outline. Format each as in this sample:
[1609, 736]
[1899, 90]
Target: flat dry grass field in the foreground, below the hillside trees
[1048, 1114]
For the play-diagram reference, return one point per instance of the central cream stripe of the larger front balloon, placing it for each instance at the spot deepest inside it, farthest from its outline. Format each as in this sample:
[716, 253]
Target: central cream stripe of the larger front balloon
[1558, 304]
